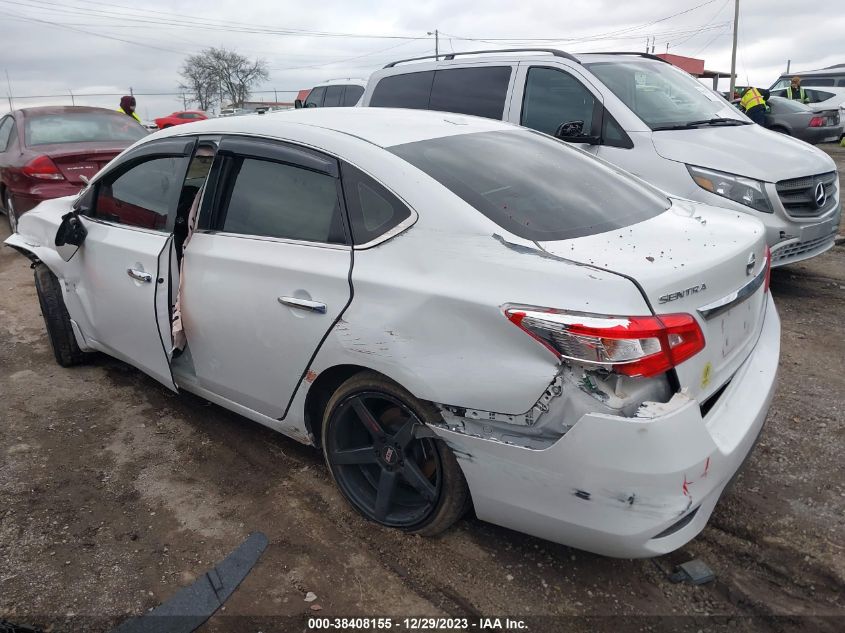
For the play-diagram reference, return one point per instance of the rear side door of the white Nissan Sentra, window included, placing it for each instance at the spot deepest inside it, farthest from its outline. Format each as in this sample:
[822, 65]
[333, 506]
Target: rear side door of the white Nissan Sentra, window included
[266, 273]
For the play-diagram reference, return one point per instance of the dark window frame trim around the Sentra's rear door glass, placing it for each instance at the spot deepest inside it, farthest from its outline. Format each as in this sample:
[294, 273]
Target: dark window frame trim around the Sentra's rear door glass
[275, 151]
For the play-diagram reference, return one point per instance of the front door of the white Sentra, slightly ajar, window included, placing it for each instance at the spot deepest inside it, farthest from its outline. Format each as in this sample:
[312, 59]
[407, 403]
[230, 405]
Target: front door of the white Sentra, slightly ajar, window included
[118, 283]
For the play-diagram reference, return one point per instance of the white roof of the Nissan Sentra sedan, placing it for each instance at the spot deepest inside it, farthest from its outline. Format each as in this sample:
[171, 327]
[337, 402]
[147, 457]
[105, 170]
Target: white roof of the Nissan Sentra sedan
[384, 127]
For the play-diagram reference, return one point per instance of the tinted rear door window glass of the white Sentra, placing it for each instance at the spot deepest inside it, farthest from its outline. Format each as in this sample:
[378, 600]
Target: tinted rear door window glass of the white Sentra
[271, 199]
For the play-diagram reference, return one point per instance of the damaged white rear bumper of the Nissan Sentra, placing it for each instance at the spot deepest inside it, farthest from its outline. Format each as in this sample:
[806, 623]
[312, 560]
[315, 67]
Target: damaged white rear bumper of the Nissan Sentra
[611, 485]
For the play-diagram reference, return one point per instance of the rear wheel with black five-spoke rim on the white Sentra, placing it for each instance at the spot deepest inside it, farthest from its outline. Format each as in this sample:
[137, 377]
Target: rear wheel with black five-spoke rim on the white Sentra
[386, 461]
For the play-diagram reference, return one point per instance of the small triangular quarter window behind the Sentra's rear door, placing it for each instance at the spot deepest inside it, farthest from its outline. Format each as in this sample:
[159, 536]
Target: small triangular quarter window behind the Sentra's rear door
[372, 209]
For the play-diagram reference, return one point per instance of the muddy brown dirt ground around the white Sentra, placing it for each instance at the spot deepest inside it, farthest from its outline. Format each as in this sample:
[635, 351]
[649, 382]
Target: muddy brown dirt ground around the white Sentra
[115, 492]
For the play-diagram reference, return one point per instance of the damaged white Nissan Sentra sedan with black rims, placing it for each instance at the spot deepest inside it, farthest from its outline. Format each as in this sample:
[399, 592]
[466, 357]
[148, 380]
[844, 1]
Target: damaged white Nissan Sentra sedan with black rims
[458, 311]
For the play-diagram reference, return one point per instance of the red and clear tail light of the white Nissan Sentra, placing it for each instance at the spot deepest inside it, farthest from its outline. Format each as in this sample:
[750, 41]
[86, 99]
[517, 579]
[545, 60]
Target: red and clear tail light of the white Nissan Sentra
[634, 346]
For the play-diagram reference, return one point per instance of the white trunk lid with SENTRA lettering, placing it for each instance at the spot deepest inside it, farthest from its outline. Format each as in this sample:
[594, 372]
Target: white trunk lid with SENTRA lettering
[691, 259]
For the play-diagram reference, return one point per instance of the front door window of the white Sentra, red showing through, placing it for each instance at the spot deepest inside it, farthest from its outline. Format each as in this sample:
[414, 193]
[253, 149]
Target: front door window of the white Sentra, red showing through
[144, 196]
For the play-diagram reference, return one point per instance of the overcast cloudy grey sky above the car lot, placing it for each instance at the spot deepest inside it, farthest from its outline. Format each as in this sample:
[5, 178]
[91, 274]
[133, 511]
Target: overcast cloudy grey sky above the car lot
[87, 47]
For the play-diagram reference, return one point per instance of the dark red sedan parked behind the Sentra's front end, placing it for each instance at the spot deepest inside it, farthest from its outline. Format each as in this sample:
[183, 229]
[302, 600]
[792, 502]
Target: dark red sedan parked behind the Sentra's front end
[51, 151]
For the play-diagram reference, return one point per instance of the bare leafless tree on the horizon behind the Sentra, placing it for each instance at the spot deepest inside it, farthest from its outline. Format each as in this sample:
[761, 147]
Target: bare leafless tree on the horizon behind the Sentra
[219, 74]
